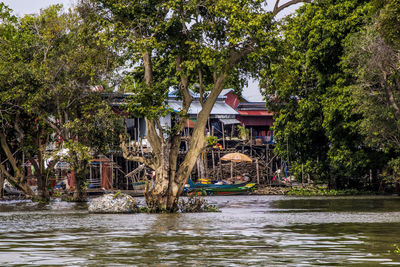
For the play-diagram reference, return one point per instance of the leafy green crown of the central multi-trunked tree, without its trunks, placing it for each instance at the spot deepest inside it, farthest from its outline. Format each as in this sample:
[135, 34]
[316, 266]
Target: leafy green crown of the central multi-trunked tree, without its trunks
[191, 40]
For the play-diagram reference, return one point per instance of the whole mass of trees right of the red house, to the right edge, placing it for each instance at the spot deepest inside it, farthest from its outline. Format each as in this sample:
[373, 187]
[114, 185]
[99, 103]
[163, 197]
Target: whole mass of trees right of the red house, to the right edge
[335, 89]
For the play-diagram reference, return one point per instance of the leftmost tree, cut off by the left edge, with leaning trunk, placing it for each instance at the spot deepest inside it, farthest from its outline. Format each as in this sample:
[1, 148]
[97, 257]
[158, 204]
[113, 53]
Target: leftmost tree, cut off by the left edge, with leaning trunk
[22, 136]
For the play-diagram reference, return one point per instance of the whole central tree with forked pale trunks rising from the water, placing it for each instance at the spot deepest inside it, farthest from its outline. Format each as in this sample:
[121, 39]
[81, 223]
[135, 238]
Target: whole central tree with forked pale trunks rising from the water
[179, 44]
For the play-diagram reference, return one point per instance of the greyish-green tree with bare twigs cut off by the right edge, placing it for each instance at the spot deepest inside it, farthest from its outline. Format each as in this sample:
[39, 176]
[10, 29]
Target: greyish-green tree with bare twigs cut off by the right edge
[373, 58]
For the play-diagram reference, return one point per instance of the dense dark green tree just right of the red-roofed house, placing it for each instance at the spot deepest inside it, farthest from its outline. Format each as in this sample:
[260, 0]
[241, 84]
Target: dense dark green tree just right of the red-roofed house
[316, 128]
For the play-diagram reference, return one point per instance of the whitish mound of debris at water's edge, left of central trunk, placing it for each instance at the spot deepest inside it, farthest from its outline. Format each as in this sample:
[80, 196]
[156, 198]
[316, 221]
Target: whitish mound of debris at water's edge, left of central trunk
[113, 203]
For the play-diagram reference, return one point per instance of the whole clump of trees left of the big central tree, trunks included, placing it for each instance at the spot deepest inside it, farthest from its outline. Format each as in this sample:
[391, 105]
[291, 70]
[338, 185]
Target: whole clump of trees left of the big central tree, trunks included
[54, 67]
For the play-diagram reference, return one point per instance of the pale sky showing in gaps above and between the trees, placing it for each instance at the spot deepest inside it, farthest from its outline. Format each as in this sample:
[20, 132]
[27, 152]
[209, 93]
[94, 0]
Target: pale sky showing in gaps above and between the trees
[22, 7]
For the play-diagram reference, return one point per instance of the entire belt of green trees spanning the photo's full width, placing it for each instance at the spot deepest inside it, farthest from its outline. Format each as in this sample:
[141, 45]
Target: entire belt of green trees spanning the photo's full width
[329, 72]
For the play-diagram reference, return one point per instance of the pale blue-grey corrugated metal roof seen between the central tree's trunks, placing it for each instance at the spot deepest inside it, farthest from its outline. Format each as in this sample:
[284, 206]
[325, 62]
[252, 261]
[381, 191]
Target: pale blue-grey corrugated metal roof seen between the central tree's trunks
[220, 108]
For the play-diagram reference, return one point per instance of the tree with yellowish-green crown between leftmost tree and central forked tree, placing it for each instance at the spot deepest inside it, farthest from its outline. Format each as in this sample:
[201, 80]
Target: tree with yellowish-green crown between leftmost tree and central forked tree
[70, 66]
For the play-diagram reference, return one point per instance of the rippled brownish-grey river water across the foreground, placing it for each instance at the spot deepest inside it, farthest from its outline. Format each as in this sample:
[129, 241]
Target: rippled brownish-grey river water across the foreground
[249, 231]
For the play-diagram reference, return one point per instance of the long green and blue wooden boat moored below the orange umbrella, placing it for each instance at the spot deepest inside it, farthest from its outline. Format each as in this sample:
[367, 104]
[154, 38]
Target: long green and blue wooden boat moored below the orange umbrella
[222, 191]
